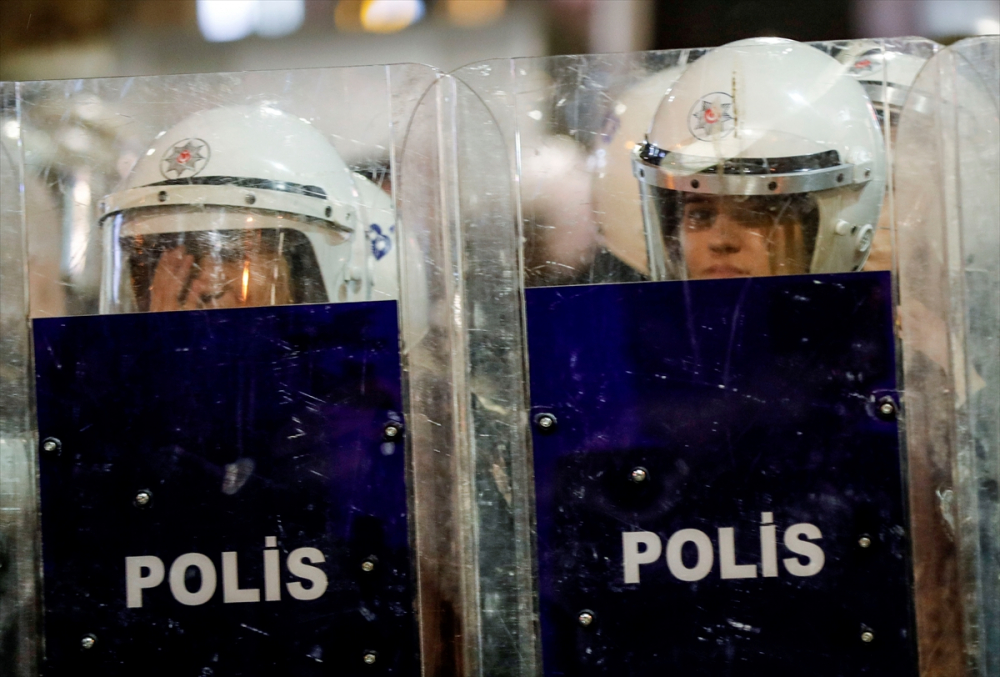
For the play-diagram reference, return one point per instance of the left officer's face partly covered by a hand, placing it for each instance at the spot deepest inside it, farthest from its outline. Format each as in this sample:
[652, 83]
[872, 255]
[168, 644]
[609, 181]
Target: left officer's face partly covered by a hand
[180, 282]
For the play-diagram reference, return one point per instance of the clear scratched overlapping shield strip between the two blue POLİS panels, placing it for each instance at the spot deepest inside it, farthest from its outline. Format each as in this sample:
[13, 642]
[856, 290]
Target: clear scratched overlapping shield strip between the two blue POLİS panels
[466, 380]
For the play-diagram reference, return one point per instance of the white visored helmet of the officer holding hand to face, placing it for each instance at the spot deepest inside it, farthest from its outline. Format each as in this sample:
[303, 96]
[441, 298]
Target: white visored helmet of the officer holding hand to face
[246, 205]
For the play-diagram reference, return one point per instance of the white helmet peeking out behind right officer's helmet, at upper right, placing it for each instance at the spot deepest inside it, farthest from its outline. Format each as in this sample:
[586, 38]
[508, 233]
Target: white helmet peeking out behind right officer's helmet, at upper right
[886, 73]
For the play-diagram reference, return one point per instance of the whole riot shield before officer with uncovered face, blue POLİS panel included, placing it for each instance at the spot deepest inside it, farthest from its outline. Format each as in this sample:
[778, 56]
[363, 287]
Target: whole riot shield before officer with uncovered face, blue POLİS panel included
[722, 473]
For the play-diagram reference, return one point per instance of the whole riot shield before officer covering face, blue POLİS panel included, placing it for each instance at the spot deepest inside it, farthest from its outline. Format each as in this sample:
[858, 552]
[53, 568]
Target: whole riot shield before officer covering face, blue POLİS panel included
[212, 418]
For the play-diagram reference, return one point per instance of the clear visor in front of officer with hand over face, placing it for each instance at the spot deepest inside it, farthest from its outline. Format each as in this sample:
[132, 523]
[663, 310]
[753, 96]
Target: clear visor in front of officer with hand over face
[193, 258]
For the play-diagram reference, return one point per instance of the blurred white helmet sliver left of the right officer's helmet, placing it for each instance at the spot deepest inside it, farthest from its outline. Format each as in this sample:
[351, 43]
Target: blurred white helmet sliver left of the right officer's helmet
[617, 208]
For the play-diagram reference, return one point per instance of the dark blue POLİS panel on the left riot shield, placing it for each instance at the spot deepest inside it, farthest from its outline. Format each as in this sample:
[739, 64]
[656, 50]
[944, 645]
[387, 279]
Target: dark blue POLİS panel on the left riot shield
[223, 492]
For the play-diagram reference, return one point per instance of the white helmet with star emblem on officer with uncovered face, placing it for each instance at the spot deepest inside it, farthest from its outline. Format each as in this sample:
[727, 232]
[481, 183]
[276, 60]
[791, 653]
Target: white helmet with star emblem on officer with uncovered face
[778, 126]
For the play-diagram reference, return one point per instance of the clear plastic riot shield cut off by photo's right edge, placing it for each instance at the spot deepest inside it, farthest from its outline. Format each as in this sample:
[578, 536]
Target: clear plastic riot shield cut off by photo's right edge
[948, 219]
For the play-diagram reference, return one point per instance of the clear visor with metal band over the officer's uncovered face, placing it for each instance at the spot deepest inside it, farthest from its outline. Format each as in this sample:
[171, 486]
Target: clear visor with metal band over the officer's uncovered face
[754, 217]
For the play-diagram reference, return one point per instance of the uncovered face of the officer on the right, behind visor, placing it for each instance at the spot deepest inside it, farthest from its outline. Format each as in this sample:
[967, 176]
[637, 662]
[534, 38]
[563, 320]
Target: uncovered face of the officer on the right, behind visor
[736, 236]
